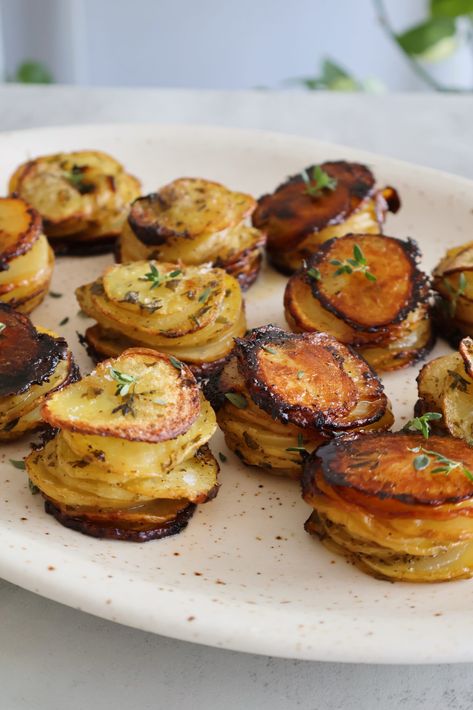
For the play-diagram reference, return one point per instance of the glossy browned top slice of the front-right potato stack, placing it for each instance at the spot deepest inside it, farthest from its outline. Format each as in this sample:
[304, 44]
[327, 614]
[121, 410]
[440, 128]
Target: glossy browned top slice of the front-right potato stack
[399, 466]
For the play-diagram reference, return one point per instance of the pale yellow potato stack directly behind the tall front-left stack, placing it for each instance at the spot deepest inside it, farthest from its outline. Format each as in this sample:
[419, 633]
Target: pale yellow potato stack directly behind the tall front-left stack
[192, 312]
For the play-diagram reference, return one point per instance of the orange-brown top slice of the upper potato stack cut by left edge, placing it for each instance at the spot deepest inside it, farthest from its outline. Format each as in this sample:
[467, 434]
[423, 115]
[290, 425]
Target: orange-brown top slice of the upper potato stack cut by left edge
[20, 227]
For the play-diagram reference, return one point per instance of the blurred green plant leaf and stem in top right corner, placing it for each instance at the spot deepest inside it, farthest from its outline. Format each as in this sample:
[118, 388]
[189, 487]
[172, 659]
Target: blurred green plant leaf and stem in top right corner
[449, 24]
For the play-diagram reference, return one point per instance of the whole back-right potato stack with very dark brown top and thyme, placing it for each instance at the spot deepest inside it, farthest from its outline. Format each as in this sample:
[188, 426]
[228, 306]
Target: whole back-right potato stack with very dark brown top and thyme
[321, 202]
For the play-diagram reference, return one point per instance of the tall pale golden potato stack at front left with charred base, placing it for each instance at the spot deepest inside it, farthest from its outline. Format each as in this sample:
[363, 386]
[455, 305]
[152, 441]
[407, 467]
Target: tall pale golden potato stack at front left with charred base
[131, 458]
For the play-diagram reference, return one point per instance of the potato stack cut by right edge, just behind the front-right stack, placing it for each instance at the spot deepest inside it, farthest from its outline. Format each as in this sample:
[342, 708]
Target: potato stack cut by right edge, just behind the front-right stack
[445, 386]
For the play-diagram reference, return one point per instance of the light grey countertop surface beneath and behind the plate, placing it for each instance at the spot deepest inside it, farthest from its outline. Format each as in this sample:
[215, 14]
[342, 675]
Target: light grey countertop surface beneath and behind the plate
[55, 657]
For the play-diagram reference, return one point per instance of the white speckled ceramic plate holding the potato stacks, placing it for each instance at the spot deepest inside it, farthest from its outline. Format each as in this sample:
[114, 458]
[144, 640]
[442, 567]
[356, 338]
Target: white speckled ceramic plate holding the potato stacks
[244, 574]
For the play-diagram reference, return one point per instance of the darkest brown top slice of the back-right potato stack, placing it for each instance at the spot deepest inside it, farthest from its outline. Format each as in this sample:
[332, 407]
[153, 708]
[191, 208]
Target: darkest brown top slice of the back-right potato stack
[290, 213]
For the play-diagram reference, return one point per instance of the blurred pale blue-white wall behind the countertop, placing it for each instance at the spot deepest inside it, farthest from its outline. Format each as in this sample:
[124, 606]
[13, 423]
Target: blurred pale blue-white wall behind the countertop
[207, 43]
